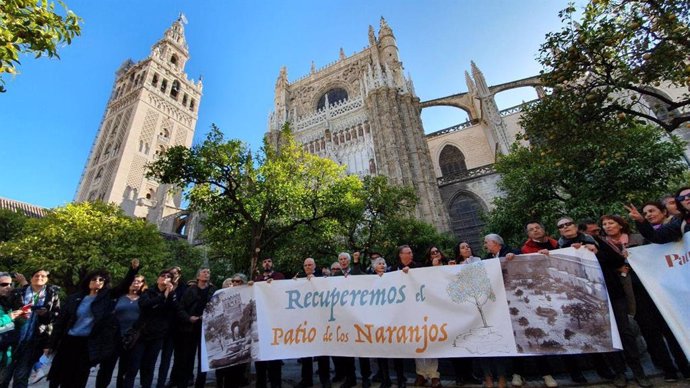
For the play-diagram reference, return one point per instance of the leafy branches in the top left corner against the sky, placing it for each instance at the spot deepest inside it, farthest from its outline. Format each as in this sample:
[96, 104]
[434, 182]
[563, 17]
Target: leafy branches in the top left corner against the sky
[33, 27]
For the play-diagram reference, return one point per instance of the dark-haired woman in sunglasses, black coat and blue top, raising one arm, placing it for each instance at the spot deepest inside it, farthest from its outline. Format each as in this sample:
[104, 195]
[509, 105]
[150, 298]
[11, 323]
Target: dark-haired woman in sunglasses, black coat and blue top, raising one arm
[86, 331]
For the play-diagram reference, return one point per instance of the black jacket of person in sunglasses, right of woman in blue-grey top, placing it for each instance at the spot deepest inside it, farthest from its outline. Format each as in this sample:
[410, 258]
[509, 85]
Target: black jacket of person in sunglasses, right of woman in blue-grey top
[157, 313]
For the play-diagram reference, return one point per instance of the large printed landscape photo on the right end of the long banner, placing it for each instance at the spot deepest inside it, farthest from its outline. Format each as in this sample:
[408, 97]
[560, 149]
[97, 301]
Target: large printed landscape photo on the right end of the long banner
[558, 303]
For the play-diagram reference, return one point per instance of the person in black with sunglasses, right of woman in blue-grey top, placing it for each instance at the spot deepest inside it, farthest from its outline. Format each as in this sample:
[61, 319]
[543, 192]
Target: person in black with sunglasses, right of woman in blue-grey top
[157, 312]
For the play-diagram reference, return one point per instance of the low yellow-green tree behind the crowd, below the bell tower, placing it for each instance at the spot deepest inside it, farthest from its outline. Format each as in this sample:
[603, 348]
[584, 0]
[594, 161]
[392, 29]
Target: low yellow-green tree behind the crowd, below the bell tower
[77, 238]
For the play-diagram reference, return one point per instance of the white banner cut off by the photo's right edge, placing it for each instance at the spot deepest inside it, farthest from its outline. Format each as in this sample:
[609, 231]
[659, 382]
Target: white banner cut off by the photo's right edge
[665, 273]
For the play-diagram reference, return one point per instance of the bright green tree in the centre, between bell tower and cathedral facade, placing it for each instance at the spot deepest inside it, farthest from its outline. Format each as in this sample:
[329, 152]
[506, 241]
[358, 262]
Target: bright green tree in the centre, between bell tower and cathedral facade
[253, 202]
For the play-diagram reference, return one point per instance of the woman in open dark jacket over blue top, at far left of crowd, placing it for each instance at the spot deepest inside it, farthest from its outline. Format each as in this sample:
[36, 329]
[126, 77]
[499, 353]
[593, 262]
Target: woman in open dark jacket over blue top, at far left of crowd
[43, 302]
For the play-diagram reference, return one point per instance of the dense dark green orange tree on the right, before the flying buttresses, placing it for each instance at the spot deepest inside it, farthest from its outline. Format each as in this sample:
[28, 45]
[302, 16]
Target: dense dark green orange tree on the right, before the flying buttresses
[579, 167]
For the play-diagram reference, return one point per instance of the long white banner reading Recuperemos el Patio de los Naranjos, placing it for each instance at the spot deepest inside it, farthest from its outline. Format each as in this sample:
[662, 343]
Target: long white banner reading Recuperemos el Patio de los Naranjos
[553, 304]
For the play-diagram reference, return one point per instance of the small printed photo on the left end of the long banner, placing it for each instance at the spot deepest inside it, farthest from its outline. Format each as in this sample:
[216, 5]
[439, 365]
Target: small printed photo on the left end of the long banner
[230, 328]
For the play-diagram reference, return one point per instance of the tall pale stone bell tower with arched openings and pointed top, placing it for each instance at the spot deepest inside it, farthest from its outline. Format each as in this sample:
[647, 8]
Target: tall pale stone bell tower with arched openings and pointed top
[153, 106]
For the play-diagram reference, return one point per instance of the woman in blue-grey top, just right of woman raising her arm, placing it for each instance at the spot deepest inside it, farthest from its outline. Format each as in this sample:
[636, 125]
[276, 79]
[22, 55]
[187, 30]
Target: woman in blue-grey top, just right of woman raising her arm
[126, 312]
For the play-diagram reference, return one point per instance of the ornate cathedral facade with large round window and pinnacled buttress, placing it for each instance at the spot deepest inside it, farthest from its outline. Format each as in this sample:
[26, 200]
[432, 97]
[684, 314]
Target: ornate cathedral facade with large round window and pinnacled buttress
[361, 111]
